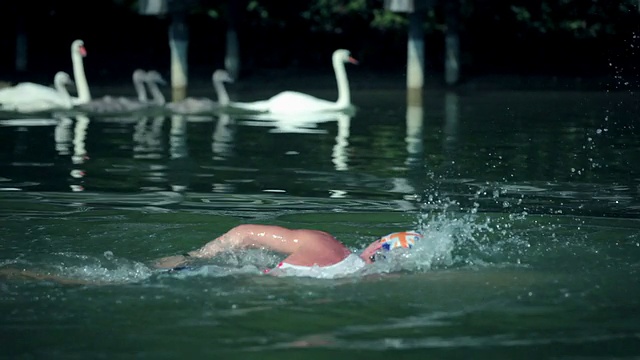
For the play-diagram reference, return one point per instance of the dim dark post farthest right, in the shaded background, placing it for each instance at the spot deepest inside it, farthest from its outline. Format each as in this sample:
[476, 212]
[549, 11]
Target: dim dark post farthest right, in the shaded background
[452, 42]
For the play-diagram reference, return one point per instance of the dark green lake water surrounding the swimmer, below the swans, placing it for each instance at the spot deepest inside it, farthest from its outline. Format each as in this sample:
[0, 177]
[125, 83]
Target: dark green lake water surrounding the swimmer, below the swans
[529, 199]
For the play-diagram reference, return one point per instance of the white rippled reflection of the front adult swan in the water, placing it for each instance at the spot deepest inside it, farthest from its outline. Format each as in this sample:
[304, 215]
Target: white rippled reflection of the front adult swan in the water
[307, 124]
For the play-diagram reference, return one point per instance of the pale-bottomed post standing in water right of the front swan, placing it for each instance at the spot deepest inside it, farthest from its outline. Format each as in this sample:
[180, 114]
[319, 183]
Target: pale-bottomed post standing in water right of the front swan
[415, 57]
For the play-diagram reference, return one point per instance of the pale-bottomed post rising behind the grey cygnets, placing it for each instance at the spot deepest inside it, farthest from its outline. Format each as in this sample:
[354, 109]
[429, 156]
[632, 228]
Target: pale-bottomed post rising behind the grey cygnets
[179, 43]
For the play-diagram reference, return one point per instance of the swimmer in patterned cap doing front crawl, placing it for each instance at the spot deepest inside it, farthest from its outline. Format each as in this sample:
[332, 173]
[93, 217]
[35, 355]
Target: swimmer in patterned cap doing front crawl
[309, 252]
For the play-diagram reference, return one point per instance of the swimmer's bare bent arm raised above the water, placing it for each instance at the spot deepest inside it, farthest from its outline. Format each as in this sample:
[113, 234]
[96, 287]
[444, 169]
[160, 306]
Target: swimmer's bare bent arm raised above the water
[269, 237]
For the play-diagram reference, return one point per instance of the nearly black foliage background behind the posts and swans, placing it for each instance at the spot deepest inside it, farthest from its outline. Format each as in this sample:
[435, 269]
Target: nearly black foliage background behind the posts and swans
[572, 38]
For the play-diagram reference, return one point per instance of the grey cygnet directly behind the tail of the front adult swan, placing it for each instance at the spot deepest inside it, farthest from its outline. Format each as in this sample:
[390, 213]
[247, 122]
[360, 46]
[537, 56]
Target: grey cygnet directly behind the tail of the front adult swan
[205, 105]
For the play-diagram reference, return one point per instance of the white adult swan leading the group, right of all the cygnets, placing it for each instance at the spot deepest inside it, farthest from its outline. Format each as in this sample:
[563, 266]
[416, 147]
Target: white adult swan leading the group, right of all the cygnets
[291, 102]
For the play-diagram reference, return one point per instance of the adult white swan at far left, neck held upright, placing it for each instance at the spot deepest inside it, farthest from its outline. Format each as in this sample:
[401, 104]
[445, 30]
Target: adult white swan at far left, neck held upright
[31, 97]
